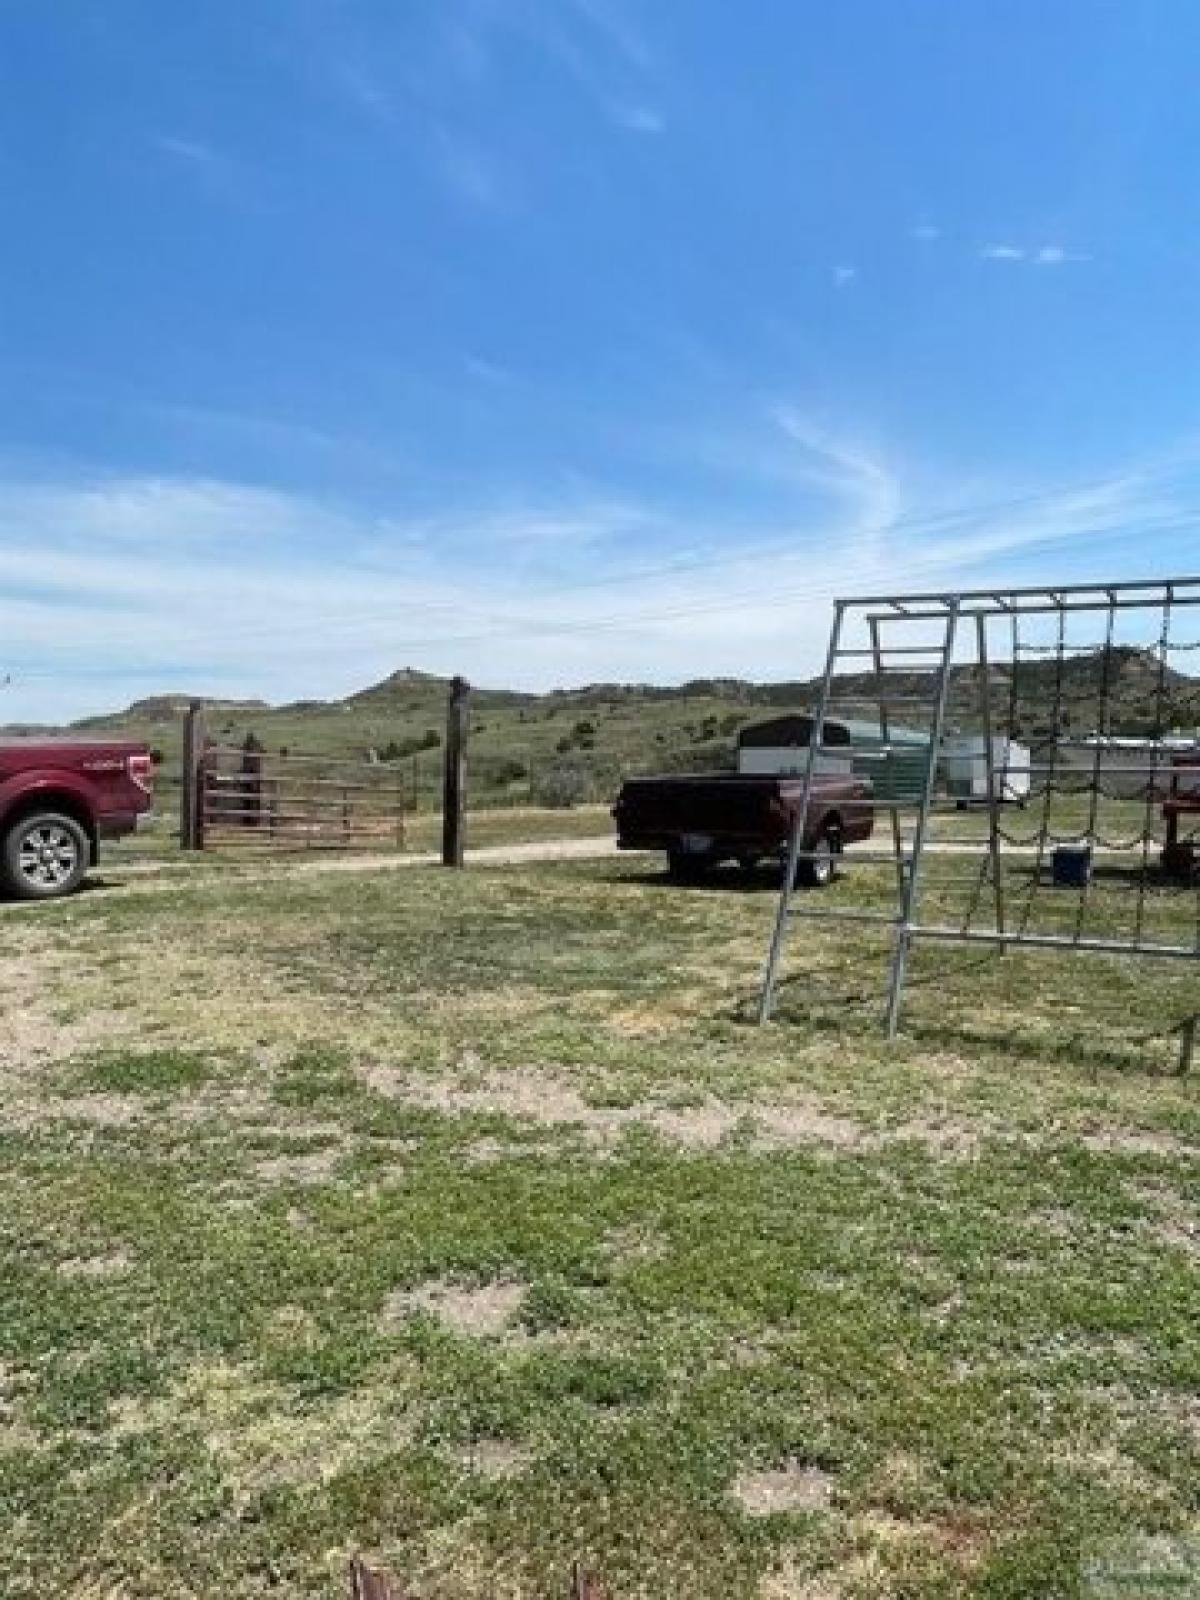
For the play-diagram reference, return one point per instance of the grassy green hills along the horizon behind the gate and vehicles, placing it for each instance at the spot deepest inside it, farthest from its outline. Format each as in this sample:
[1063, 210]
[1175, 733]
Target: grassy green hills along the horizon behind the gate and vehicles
[601, 732]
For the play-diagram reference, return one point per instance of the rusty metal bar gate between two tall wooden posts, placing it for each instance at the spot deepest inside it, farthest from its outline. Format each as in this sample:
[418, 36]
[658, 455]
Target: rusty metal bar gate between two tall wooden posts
[247, 796]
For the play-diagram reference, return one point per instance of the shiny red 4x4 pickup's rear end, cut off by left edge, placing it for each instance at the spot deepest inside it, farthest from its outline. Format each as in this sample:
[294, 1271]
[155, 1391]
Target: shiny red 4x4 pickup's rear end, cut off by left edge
[58, 799]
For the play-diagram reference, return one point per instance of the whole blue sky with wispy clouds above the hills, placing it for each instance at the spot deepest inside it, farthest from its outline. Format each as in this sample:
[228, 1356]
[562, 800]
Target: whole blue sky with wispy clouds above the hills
[574, 340]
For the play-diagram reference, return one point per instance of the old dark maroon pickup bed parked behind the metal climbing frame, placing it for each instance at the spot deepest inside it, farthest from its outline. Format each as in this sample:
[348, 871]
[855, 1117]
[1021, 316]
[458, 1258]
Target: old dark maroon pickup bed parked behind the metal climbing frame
[708, 820]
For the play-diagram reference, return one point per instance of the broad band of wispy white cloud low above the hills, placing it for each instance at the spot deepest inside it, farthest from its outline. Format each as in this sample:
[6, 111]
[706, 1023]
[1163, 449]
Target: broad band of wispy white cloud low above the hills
[126, 586]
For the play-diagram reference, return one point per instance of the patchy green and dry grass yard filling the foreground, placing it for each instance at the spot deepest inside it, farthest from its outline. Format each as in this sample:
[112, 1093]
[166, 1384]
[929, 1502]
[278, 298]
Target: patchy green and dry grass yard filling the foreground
[466, 1222]
